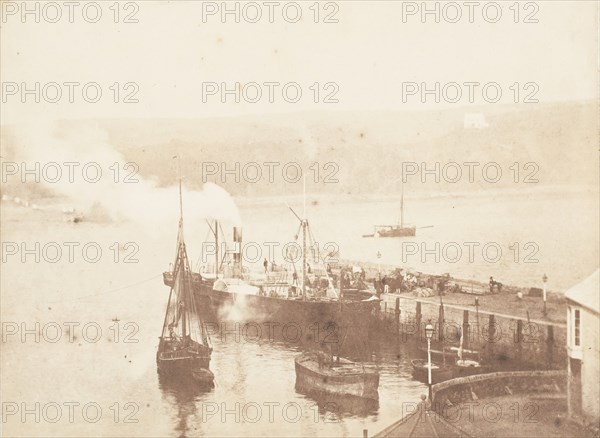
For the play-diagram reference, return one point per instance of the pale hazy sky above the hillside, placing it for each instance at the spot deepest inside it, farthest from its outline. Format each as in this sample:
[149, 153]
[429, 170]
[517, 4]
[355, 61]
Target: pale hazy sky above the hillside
[369, 53]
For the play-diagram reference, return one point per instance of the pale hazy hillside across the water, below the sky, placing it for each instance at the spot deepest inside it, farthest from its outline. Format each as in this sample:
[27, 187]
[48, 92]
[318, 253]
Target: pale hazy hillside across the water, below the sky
[368, 147]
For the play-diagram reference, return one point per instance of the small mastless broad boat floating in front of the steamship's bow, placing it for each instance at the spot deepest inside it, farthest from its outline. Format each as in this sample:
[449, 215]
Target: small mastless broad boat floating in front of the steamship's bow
[318, 372]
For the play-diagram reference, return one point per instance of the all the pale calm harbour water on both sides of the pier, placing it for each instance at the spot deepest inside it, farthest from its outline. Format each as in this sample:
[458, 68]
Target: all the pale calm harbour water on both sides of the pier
[120, 377]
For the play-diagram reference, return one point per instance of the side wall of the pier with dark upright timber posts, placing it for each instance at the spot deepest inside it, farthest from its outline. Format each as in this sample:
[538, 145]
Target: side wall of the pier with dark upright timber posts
[498, 338]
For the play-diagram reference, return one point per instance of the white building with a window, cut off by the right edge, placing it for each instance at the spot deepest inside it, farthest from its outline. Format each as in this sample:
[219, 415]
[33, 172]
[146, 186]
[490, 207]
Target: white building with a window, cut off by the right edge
[583, 326]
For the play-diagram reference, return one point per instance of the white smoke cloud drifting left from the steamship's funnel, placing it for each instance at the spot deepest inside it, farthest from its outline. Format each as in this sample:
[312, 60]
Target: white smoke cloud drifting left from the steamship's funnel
[140, 200]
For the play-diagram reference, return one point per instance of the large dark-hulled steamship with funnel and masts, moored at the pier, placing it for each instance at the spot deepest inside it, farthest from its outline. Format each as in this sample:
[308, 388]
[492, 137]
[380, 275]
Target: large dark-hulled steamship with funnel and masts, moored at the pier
[302, 296]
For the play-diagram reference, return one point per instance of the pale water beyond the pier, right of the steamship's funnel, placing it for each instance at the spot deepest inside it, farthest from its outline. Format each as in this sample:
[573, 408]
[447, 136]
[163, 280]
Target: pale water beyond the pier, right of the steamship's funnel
[534, 234]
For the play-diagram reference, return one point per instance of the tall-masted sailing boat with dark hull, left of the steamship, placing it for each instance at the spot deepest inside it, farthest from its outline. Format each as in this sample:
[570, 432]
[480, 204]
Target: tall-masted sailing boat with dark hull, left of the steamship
[184, 348]
